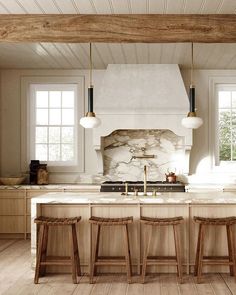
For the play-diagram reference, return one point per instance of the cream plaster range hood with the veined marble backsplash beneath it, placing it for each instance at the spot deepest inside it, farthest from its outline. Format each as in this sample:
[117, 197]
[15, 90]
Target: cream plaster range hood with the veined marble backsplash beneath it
[144, 99]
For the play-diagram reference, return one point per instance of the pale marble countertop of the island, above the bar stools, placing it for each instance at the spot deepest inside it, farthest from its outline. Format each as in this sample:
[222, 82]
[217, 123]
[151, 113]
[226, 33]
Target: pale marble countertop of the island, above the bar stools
[116, 198]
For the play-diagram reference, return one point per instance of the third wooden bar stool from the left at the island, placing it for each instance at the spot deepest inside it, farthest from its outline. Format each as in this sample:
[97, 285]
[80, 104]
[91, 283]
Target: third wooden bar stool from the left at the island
[161, 260]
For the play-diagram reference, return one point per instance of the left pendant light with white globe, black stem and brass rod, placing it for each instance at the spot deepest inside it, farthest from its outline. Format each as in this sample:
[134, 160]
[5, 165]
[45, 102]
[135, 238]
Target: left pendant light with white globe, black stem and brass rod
[90, 120]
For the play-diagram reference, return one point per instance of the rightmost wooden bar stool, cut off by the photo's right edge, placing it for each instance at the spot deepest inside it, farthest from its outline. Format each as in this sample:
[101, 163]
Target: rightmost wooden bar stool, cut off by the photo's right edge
[201, 260]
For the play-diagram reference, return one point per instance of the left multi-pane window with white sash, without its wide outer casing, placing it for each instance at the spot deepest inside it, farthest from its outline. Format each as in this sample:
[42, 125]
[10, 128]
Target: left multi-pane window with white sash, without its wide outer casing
[54, 124]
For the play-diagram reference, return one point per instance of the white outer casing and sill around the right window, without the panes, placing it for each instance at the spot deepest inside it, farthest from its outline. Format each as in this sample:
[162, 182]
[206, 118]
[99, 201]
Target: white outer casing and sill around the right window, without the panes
[215, 83]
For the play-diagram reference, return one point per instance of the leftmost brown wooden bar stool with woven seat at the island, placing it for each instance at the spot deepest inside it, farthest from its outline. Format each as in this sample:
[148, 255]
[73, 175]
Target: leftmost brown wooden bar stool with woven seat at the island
[42, 260]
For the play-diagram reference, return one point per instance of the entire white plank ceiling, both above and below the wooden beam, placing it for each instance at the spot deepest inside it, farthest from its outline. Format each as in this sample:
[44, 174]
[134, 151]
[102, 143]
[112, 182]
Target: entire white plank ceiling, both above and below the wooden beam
[65, 56]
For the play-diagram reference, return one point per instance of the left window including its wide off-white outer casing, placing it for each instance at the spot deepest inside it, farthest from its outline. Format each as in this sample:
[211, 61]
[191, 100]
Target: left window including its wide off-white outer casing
[50, 109]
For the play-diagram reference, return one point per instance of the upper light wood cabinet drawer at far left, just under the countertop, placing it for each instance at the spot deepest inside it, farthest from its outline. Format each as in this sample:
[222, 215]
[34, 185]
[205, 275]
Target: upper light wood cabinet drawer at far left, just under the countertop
[11, 206]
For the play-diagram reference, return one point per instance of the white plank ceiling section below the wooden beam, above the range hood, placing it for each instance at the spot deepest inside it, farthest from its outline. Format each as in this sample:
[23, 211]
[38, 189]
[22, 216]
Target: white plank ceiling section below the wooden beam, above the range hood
[65, 56]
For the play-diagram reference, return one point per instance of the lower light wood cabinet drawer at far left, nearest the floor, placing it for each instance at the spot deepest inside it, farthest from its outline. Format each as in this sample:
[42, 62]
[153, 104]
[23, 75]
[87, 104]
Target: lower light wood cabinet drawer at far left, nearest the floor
[12, 224]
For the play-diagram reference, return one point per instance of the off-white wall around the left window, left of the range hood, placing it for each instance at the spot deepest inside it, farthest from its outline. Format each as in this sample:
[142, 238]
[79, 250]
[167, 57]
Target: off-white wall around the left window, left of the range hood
[10, 115]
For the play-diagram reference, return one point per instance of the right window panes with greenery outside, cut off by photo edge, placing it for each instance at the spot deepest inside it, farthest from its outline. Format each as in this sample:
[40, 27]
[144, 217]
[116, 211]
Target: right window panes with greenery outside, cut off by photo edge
[226, 115]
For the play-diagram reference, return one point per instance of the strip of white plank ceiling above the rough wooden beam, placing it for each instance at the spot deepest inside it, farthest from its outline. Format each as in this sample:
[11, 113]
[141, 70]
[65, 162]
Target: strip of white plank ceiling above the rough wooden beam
[118, 7]
